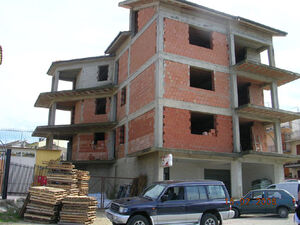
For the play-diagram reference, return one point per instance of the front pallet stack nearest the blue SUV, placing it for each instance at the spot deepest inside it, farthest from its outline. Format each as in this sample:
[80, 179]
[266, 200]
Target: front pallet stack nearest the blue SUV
[78, 210]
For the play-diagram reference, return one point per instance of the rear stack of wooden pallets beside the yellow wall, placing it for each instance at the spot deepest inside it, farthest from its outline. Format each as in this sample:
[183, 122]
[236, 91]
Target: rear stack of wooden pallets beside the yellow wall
[62, 175]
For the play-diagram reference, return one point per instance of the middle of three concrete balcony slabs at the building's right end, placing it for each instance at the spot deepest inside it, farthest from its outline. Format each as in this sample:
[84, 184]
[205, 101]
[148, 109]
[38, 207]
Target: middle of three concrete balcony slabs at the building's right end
[266, 114]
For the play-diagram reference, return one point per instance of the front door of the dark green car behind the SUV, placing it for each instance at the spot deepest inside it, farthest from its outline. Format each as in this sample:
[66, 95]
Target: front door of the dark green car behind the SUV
[254, 202]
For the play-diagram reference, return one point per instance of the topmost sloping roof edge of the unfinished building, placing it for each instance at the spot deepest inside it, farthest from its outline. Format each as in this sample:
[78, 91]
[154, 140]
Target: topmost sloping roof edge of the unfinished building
[187, 4]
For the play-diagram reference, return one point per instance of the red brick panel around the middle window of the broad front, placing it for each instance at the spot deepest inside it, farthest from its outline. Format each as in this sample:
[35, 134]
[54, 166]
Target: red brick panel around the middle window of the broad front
[177, 87]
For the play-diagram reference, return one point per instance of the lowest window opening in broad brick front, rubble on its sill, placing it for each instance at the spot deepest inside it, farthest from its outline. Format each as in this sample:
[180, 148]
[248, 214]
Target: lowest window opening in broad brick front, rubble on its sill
[202, 124]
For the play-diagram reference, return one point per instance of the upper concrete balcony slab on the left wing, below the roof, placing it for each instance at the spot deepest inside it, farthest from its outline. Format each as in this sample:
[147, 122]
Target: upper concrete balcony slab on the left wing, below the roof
[66, 99]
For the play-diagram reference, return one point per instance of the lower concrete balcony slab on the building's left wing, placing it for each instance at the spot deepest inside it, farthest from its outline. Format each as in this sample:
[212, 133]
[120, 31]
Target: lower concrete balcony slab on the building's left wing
[65, 132]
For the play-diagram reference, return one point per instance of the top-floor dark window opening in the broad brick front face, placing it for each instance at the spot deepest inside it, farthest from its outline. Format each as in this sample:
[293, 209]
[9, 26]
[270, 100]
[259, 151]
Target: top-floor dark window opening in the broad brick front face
[200, 37]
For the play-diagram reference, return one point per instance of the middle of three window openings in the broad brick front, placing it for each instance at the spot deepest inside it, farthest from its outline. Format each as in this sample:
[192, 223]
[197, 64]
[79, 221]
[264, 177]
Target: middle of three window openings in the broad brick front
[200, 78]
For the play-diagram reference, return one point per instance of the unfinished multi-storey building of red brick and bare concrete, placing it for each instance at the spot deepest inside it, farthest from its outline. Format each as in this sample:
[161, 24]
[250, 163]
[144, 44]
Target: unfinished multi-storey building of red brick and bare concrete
[184, 80]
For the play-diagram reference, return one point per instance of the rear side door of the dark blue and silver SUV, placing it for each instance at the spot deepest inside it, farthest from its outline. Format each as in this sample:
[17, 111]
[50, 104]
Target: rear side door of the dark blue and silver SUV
[196, 202]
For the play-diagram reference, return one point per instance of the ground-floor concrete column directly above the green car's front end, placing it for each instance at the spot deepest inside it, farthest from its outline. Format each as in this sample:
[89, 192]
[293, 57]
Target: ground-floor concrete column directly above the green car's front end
[236, 179]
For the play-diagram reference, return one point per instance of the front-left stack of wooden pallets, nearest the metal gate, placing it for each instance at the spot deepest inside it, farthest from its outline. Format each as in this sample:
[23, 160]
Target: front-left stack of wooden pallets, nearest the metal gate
[44, 204]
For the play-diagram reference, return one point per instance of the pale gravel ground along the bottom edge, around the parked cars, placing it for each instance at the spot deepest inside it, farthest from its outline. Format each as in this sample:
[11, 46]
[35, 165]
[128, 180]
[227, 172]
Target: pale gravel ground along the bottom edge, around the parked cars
[244, 220]
